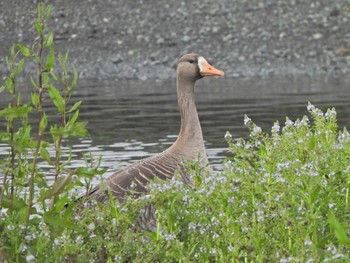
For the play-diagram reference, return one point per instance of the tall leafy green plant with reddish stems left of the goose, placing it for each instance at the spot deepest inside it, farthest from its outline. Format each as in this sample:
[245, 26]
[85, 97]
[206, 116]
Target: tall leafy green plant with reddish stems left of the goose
[28, 195]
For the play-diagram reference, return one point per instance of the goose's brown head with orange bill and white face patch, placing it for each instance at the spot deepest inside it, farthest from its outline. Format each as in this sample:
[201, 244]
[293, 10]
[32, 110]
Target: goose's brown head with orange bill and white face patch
[192, 67]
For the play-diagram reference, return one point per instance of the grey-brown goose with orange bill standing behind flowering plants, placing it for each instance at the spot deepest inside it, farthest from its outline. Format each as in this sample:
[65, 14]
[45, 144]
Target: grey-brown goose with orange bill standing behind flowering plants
[189, 145]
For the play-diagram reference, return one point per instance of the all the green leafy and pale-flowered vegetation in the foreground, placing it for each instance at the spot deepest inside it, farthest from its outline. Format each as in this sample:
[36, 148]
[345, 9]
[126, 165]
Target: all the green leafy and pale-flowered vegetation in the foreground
[282, 196]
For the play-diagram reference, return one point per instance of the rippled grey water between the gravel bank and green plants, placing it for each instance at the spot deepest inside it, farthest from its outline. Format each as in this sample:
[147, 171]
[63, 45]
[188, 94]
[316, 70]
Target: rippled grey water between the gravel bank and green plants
[130, 120]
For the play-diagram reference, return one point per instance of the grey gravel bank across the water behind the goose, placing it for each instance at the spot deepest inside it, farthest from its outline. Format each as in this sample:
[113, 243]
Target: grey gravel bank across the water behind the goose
[143, 39]
